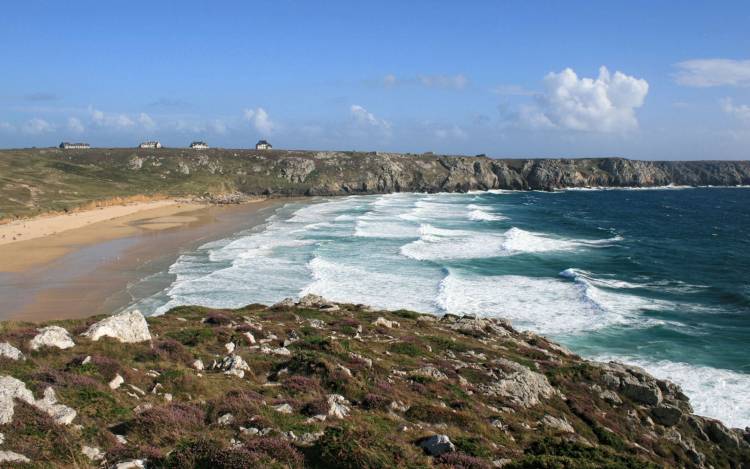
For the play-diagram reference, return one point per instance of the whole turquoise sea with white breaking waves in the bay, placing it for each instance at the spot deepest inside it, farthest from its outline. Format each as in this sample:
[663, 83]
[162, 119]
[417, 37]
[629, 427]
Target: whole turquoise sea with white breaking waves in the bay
[659, 278]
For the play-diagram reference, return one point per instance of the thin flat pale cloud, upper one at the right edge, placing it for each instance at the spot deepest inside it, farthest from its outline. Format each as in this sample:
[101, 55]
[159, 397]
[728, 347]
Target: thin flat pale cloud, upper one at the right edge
[713, 72]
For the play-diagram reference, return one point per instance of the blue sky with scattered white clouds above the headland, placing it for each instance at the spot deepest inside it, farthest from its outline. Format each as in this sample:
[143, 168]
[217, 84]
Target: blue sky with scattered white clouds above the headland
[509, 79]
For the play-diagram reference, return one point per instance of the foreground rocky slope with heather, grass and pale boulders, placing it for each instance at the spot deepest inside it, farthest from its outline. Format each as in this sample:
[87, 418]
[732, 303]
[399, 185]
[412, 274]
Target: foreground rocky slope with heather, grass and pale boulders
[312, 383]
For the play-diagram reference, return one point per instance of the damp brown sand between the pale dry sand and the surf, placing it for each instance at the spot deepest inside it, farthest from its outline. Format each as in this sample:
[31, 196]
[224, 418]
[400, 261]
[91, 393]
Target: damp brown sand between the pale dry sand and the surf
[88, 270]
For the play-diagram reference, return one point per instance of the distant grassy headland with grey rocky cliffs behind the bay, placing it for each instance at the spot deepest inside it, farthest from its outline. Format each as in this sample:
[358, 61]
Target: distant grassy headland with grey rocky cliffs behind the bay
[41, 180]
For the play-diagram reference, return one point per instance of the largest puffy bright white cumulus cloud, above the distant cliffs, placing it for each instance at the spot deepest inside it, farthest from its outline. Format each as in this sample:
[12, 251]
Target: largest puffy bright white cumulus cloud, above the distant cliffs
[604, 104]
